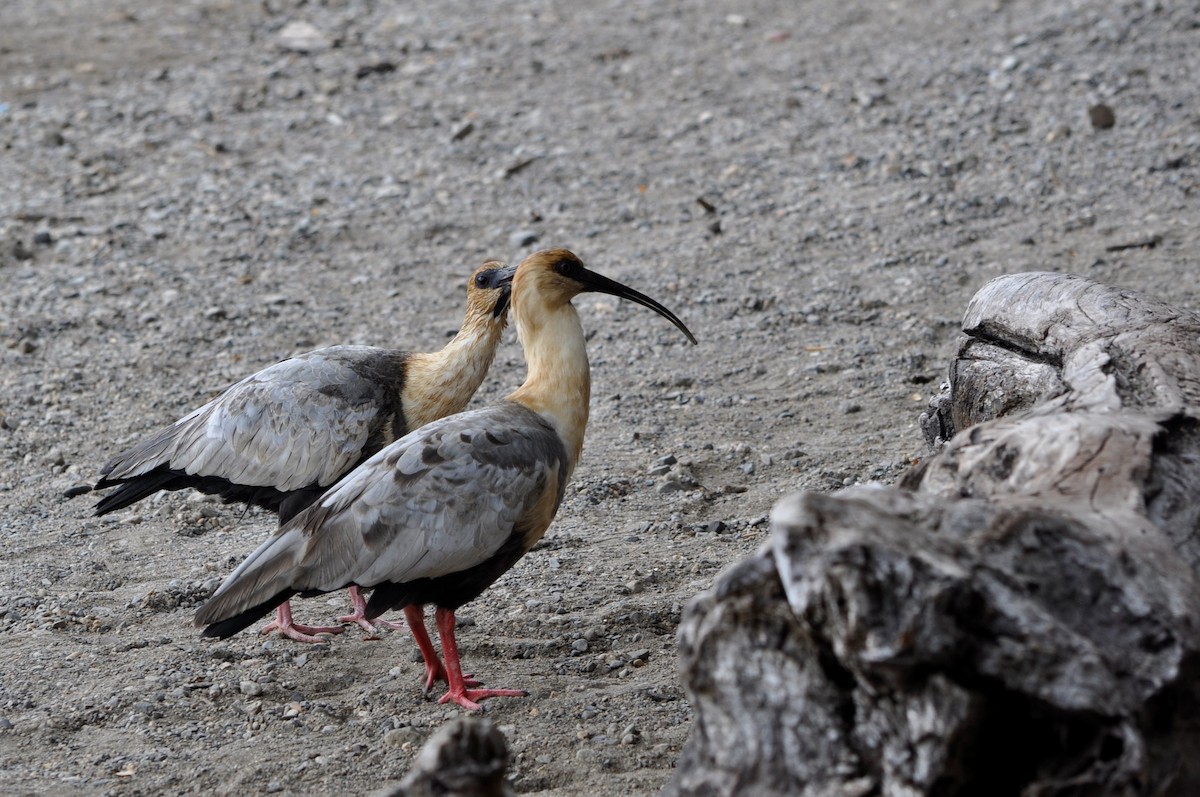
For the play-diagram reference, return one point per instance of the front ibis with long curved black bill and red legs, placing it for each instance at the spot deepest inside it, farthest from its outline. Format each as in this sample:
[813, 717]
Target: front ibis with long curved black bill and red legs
[442, 513]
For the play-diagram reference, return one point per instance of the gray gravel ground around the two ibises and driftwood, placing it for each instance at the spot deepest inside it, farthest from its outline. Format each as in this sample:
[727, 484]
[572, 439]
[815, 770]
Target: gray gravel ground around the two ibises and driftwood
[195, 190]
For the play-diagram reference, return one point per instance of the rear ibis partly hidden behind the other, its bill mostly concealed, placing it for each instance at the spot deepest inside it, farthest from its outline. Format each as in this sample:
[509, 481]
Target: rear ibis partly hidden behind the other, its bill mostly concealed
[283, 436]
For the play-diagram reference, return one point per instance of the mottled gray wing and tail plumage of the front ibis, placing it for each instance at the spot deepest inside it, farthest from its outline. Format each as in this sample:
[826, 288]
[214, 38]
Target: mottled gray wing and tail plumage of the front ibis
[441, 501]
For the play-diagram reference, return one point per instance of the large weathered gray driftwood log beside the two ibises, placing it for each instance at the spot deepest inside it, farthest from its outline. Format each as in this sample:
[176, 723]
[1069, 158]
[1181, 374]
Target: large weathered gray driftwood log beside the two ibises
[1019, 619]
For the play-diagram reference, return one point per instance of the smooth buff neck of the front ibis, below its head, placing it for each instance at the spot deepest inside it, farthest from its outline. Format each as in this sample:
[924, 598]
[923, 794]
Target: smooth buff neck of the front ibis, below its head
[559, 383]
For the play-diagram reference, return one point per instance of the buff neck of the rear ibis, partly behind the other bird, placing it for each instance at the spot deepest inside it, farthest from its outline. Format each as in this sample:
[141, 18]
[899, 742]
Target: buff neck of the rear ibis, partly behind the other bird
[442, 383]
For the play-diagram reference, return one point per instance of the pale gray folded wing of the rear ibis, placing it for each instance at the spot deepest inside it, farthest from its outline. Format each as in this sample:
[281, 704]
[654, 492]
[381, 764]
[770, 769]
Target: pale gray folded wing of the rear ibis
[303, 422]
